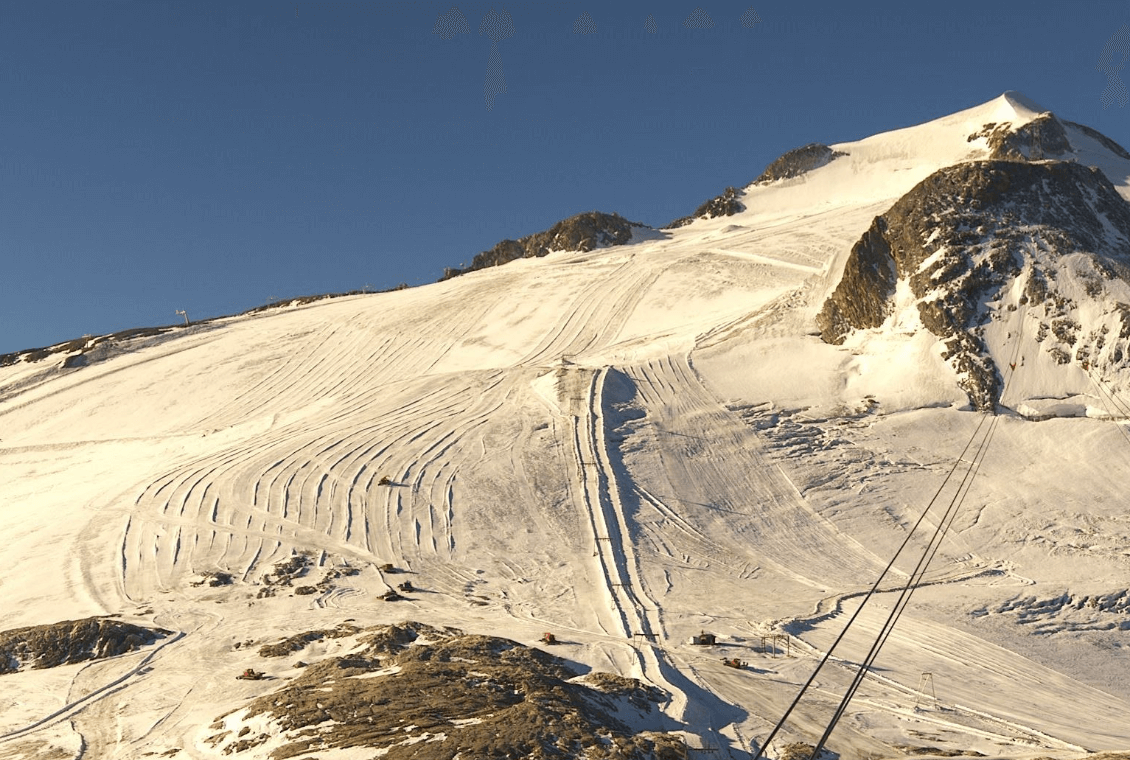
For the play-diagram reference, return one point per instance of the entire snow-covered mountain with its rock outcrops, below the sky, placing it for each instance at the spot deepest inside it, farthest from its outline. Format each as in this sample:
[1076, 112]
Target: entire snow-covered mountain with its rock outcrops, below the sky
[488, 518]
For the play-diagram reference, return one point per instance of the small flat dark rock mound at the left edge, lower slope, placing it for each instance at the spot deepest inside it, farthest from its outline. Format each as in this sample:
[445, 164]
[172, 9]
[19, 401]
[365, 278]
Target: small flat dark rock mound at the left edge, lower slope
[72, 642]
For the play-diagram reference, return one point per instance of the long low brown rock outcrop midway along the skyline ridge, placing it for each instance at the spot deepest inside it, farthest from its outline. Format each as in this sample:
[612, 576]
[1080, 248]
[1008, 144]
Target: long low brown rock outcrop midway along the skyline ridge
[584, 232]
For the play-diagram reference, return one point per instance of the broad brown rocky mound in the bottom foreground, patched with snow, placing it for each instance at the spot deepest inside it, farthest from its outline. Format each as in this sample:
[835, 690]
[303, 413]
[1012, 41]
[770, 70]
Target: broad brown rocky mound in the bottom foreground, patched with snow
[413, 692]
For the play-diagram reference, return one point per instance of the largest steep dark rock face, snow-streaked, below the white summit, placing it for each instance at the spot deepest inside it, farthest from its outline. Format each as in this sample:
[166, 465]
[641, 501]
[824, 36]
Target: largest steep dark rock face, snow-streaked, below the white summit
[966, 233]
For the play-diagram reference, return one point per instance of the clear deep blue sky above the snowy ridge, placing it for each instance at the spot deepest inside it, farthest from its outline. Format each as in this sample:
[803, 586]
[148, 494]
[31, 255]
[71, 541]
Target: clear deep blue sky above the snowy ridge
[213, 155]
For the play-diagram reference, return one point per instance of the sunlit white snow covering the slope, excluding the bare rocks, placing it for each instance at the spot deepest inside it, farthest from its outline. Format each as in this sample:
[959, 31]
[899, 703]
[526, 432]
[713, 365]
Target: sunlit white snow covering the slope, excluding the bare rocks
[648, 439]
